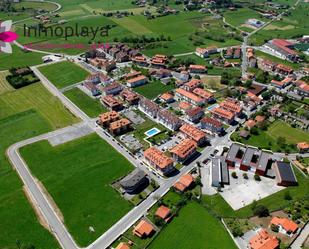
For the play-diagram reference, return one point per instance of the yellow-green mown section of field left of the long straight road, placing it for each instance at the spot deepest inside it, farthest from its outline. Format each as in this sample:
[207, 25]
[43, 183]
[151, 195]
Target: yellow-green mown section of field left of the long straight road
[36, 97]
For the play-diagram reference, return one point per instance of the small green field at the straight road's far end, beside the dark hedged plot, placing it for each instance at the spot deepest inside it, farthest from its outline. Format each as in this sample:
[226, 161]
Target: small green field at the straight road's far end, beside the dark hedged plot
[64, 73]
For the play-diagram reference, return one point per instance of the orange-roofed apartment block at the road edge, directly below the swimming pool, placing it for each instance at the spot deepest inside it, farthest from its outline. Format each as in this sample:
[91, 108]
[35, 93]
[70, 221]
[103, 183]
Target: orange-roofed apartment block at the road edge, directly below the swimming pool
[159, 160]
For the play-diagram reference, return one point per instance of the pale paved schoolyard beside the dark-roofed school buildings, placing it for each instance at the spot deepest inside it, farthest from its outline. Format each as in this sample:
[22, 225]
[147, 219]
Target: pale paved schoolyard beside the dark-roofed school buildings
[242, 192]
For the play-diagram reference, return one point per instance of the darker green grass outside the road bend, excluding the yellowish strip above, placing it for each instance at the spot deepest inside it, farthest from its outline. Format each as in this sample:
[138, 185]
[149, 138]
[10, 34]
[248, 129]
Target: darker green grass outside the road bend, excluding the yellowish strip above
[18, 220]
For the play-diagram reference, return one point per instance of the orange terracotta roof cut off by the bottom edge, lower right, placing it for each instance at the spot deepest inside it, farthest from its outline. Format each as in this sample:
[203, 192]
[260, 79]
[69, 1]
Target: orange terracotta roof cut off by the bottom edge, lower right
[263, 241]
